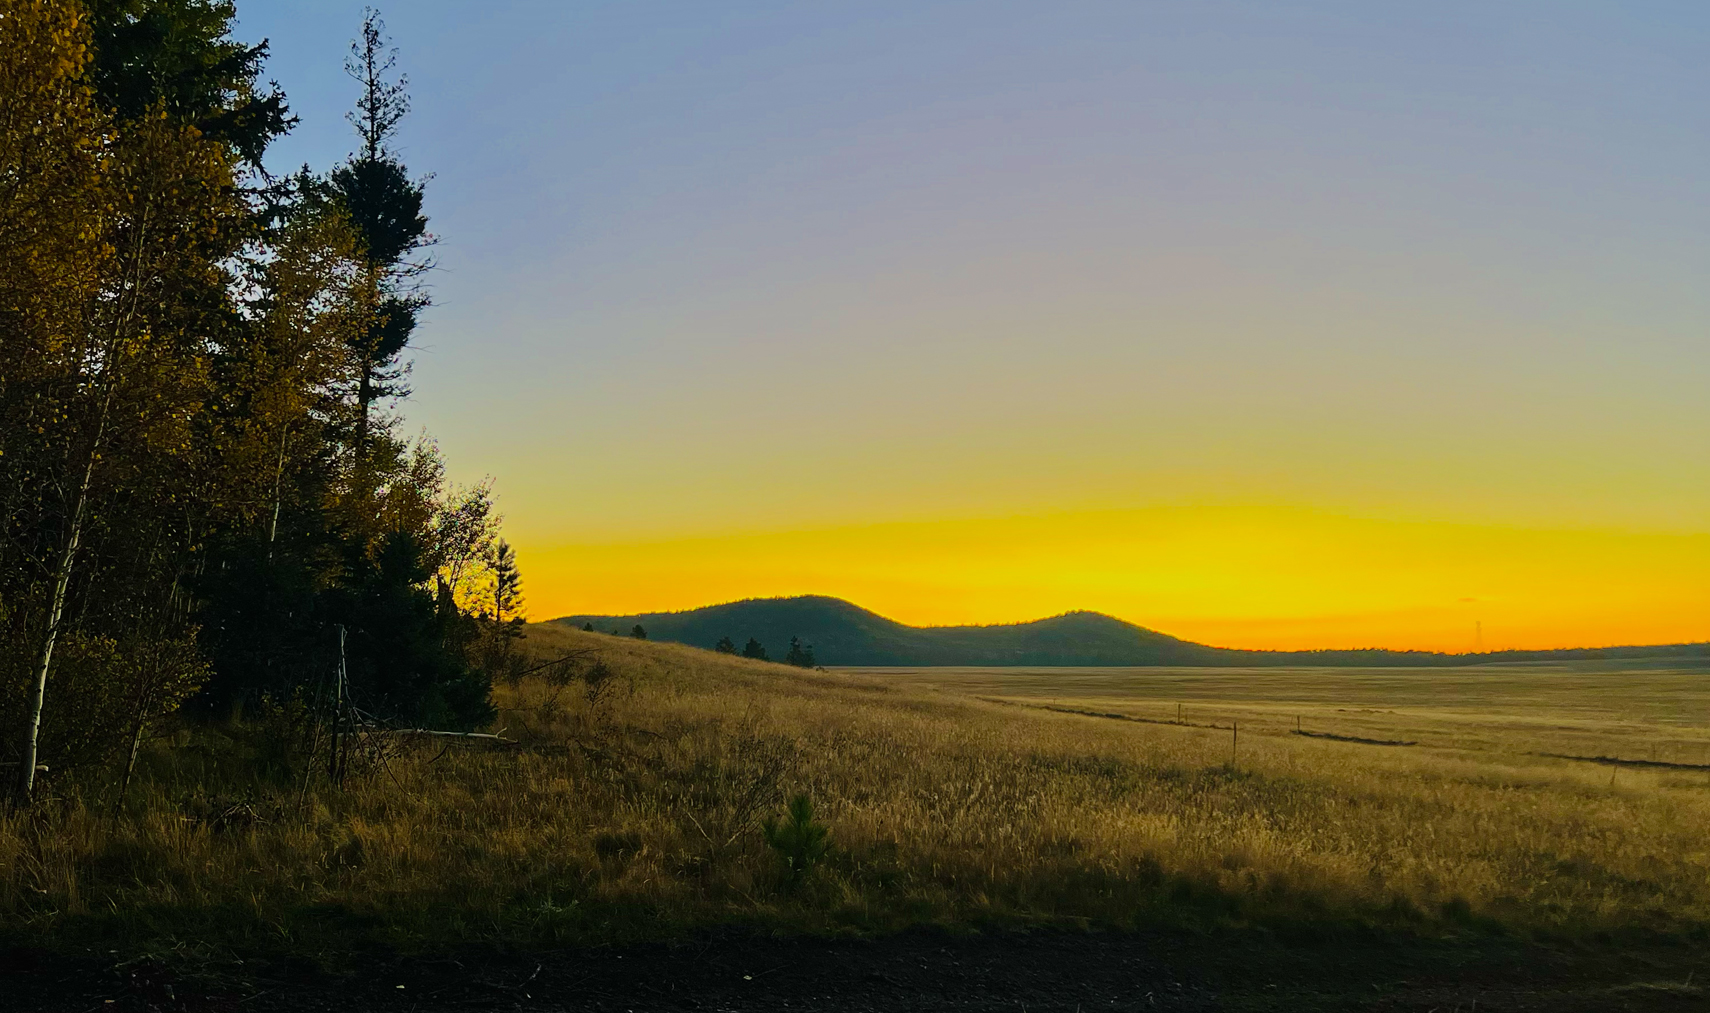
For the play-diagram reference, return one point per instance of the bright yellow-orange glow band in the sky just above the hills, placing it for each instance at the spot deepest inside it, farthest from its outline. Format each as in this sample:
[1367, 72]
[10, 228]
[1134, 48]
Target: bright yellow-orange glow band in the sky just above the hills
[1256, 578]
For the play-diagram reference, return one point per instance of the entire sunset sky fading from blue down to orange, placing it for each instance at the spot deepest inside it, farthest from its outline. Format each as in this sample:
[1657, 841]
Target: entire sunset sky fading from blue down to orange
[1263, 324]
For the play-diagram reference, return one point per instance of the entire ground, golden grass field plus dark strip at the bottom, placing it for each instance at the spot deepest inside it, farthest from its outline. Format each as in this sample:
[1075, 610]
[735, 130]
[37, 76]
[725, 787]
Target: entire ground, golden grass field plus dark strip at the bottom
[1116, 839]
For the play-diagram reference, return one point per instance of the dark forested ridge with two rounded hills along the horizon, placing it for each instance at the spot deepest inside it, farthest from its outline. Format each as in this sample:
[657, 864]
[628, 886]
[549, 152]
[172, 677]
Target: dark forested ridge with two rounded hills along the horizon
[844, 634]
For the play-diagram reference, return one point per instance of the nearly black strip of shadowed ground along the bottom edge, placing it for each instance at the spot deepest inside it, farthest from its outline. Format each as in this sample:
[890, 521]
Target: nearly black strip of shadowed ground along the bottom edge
[912, 971]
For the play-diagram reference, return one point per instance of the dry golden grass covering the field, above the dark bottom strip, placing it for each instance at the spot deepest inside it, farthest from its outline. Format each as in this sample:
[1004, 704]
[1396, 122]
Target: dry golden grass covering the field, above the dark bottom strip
[953, 798]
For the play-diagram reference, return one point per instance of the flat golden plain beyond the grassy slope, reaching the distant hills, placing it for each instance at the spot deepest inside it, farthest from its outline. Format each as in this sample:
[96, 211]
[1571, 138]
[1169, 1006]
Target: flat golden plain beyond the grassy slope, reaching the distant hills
[1502, 714]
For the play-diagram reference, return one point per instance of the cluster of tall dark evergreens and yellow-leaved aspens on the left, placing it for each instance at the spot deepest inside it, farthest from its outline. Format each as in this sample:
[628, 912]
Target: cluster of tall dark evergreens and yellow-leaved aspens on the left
[206, 494]
